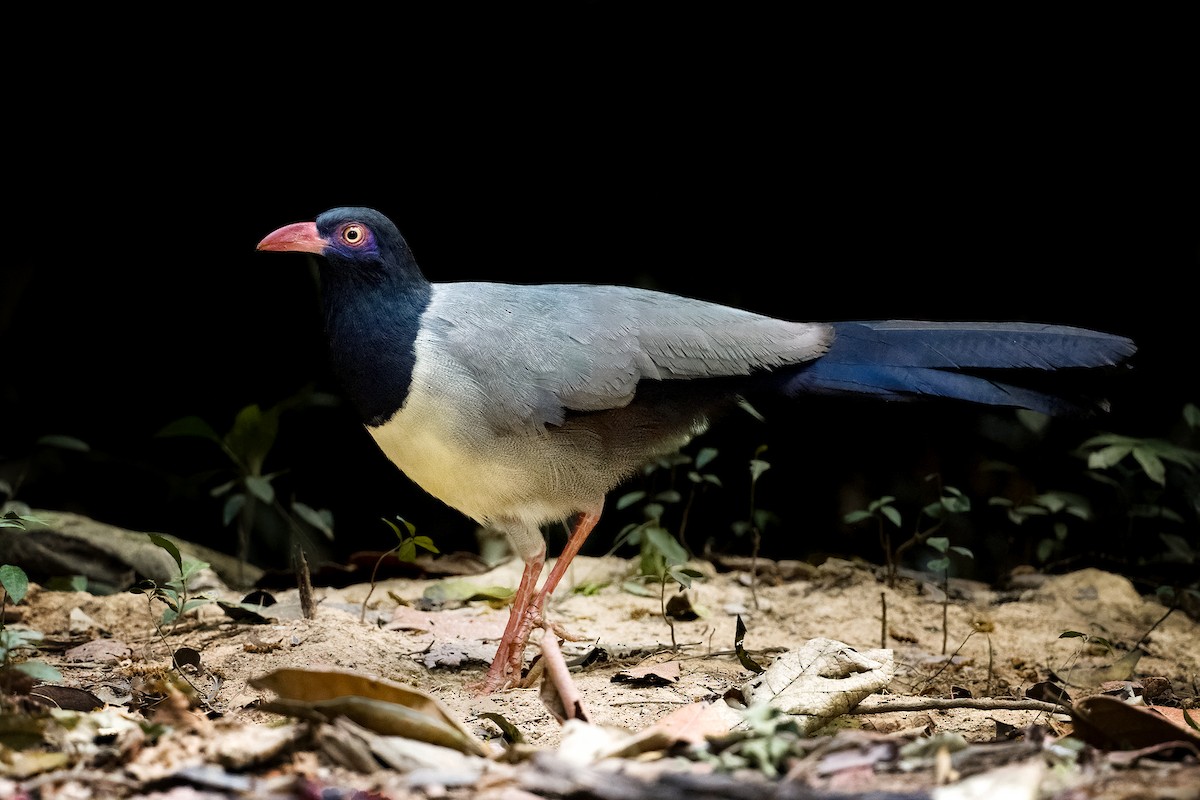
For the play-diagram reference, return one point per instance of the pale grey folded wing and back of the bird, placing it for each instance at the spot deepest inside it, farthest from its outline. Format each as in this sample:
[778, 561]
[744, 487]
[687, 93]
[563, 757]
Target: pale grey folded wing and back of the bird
[535, 353]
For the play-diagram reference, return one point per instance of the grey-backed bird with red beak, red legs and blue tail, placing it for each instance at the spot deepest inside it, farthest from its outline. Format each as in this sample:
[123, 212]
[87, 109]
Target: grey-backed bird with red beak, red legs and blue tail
[524, 406]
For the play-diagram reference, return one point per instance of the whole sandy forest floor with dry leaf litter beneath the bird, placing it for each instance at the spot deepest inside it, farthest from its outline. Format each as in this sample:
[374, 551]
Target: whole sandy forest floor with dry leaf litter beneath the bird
[963, 675]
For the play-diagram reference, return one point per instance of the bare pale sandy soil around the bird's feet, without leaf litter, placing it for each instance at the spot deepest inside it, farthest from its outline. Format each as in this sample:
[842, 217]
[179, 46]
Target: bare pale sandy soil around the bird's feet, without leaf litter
[997, 643]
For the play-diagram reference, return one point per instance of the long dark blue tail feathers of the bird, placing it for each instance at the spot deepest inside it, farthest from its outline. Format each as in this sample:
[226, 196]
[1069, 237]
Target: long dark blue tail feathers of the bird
[994, 364]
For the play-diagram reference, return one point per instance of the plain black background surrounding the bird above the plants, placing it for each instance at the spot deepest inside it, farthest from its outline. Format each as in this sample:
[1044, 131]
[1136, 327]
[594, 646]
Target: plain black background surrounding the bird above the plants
[1022, 170]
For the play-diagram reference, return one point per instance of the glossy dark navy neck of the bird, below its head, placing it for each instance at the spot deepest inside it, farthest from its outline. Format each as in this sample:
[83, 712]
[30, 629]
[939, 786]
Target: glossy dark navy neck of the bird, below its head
[373, 332]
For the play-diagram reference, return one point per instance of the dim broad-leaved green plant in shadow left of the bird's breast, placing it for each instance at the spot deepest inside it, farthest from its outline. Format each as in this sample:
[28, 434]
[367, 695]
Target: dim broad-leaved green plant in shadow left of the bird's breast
[248, 444]
